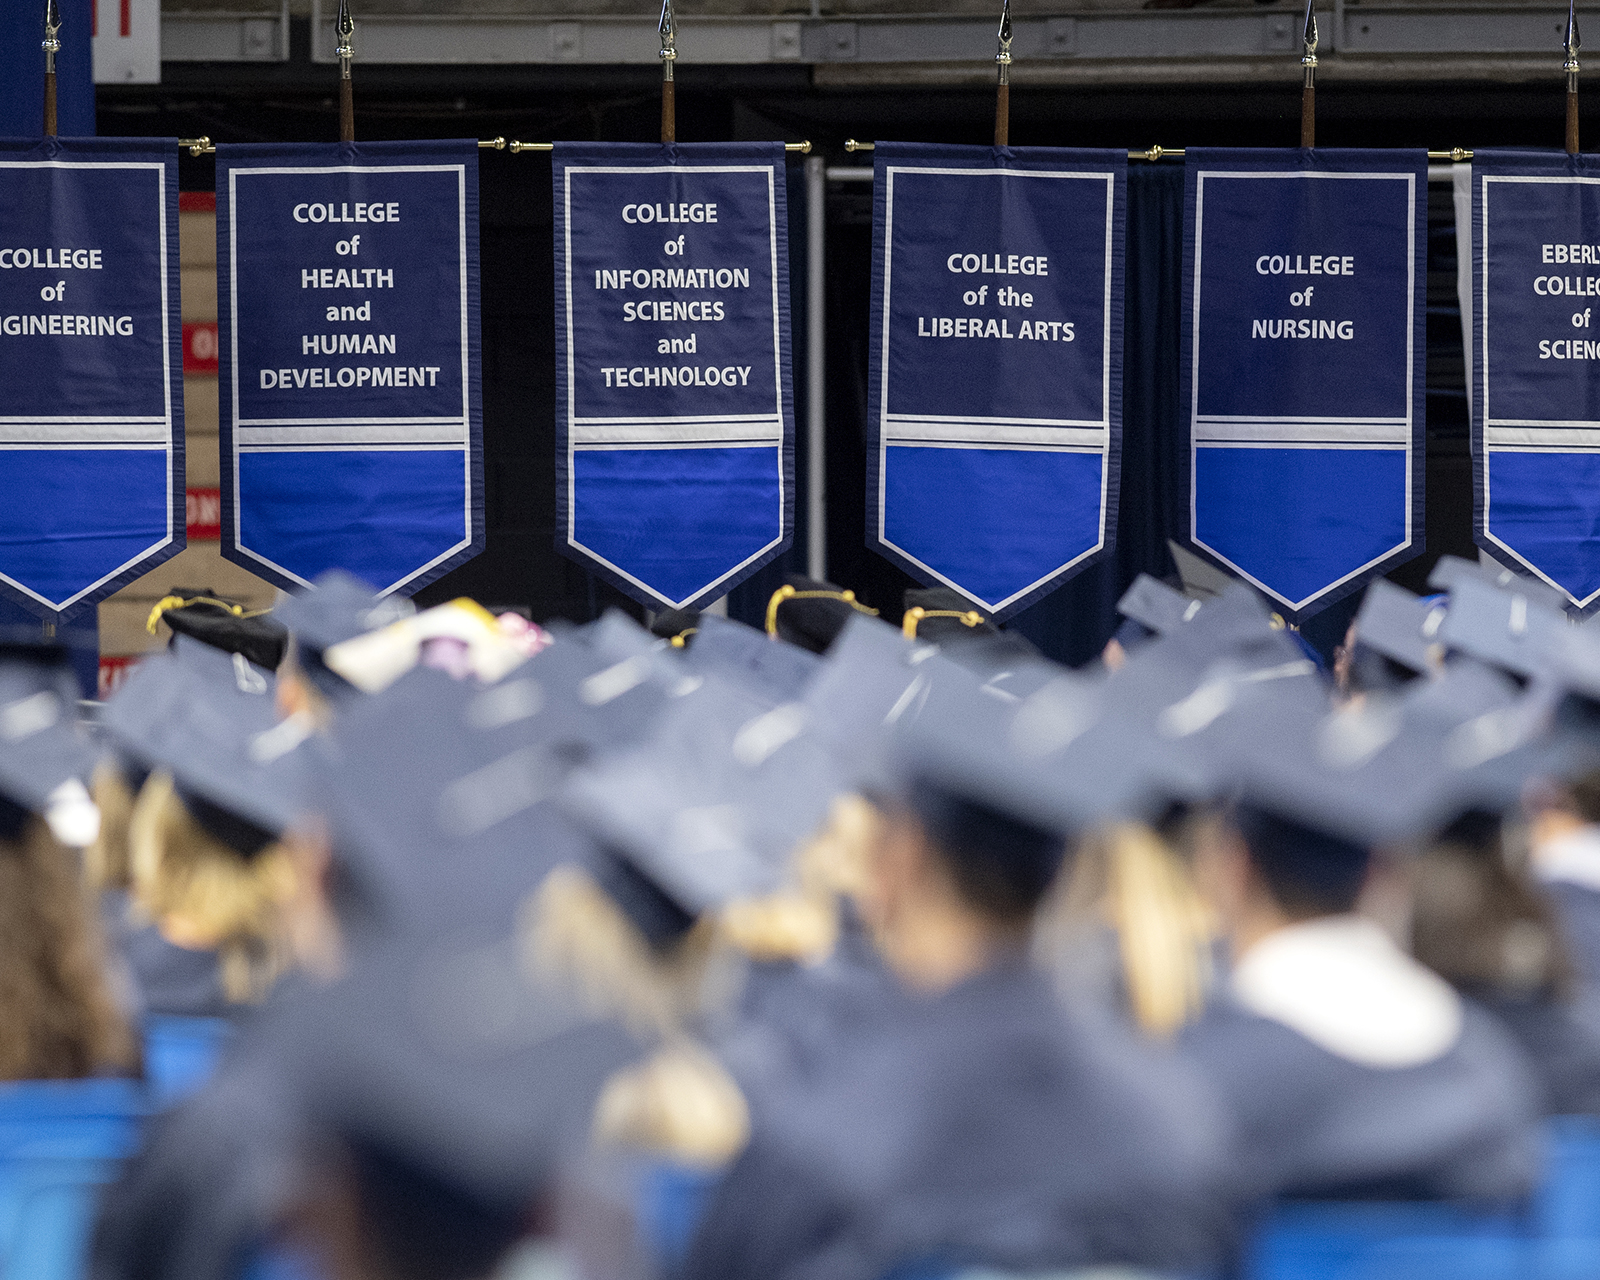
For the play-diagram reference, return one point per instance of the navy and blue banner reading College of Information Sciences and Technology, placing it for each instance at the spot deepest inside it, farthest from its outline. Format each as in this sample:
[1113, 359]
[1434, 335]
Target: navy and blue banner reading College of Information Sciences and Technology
[673, 366]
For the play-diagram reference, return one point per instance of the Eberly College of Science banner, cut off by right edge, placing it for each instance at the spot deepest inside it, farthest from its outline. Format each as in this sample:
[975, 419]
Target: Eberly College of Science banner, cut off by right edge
[1537, 370]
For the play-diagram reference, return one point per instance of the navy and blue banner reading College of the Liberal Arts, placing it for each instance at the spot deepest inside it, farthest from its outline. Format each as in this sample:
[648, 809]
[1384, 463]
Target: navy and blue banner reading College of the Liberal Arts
[994, 394]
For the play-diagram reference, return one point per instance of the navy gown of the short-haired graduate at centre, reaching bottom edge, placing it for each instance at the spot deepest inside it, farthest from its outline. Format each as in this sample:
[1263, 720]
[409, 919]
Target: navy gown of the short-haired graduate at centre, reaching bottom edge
[982, 1127]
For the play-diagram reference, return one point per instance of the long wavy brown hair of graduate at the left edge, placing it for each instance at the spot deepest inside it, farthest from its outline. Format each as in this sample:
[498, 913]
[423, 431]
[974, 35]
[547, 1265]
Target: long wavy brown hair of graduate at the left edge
[58, 1018]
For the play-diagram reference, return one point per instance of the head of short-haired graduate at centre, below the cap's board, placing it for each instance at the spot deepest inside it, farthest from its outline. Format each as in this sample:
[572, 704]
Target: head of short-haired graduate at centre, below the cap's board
[953, 881]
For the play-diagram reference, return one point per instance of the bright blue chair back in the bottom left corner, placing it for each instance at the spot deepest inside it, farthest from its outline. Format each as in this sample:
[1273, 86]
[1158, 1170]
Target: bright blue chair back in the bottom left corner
[60, 1142]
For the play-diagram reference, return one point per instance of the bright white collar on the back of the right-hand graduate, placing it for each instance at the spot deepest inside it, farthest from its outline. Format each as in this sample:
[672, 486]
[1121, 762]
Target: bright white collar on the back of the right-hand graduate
[1343, 985]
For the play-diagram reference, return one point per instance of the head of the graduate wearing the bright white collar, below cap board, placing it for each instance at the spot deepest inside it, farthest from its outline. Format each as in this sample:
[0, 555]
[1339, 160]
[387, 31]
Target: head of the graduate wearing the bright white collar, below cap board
[1262, 871]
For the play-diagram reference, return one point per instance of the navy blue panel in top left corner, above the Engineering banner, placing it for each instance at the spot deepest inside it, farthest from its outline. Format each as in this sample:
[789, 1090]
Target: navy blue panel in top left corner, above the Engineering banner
[23, 86]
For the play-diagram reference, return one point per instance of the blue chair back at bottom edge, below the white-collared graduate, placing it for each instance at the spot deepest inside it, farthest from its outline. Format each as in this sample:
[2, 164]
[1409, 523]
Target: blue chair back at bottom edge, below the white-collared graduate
[1391, 1241]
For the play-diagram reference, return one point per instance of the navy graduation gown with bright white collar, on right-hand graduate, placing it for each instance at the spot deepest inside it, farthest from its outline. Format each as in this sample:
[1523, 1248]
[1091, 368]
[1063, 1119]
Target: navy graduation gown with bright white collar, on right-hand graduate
[1351, 1071]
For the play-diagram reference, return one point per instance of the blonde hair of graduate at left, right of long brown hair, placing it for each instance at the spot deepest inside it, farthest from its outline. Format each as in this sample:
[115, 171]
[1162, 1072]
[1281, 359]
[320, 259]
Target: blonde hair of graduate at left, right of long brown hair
[202, 892]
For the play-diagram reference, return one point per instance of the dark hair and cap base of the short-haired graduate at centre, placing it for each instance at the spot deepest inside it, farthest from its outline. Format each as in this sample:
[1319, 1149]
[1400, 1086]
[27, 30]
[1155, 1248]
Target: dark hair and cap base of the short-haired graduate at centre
[1002, 866]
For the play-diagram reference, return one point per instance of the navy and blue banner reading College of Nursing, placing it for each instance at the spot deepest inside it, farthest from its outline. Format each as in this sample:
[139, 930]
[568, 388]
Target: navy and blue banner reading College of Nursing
[1302, 374]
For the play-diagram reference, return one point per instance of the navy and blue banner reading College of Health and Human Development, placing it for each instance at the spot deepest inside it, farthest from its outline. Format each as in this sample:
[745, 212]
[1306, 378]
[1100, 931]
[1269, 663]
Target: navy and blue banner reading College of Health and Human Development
[353, 412]
